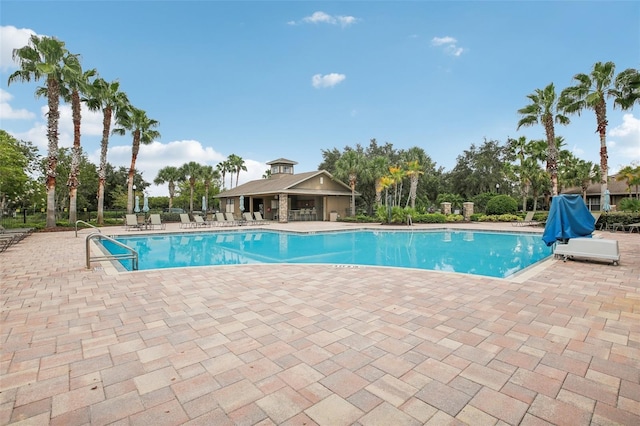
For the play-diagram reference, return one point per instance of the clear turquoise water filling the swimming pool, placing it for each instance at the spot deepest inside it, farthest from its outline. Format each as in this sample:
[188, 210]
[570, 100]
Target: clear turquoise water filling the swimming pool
[479, 253]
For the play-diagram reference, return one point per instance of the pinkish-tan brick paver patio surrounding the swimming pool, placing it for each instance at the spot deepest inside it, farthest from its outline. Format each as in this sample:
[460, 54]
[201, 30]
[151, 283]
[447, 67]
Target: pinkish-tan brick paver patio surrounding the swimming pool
[315, 344]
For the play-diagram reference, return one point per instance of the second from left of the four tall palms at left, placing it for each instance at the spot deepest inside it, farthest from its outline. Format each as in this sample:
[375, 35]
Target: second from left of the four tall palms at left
[74, 82]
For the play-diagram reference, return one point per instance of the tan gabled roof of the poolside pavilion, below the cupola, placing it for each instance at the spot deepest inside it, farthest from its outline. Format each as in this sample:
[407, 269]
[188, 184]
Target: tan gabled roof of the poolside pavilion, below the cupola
[284, 184]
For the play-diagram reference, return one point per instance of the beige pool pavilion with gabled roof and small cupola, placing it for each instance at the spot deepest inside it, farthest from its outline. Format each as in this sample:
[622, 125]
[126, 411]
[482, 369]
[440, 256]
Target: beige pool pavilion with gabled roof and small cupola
[287, 196]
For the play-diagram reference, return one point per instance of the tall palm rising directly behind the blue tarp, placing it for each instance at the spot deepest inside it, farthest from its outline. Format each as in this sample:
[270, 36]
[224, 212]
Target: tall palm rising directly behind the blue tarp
[543, 109]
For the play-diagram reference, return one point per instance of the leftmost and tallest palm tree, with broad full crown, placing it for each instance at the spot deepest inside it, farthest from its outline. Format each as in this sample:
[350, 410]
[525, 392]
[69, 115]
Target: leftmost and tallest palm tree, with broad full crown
[43, 58]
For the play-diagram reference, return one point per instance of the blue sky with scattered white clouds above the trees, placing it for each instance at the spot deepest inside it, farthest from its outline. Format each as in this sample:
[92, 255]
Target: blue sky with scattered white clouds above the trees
[265, 80]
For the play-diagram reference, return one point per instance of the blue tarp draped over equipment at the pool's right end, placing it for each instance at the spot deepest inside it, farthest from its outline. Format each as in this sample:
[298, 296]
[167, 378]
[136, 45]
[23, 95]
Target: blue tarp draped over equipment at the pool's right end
[568, 218]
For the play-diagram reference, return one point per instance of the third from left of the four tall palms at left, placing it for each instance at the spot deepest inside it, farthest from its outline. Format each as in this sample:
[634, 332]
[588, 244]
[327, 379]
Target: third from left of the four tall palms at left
[108, 98]
